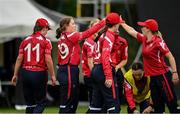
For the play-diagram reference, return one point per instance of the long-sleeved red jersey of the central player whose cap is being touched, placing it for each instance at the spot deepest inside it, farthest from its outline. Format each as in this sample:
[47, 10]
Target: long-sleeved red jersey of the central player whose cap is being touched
[103, 52]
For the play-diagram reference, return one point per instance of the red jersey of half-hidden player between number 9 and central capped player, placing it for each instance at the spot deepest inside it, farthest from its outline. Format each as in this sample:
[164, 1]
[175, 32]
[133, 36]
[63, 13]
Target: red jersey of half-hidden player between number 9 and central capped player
[87, 52]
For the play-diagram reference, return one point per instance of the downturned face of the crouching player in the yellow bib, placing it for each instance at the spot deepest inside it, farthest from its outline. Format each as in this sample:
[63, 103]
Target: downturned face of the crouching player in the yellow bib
[137, 74]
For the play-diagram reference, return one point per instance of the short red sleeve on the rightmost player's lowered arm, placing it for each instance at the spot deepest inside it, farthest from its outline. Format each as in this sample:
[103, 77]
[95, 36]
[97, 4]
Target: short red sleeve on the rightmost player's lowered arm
[163, 47]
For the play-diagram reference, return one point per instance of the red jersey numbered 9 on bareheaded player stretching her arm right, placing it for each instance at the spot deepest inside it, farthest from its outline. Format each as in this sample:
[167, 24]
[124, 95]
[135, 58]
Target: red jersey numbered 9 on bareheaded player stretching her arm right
[69, 48]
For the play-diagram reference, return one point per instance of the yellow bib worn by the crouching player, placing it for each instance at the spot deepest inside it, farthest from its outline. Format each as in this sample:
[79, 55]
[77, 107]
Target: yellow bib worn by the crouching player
[138, 97]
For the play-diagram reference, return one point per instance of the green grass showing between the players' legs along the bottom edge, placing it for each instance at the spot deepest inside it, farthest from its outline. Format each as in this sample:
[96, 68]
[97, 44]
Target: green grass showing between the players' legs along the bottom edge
[81, 109]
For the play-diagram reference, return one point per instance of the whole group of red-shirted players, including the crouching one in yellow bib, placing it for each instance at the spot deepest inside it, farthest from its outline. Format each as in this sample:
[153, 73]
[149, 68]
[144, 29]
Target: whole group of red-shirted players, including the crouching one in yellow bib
[104, 52]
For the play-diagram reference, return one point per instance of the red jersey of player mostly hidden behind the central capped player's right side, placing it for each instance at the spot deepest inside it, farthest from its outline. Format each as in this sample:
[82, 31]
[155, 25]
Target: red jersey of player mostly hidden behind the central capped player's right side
[119, 51]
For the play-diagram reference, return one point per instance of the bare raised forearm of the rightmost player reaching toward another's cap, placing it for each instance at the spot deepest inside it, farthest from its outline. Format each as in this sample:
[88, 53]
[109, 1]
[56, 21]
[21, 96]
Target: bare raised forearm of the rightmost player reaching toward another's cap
[130, 30]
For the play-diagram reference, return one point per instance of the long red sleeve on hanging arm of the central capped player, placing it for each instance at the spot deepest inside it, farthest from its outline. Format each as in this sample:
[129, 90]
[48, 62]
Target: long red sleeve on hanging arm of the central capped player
[106, 57]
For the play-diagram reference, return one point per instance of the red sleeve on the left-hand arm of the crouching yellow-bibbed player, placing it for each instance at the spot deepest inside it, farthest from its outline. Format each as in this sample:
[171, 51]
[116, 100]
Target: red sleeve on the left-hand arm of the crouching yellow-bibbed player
[129, 95]
